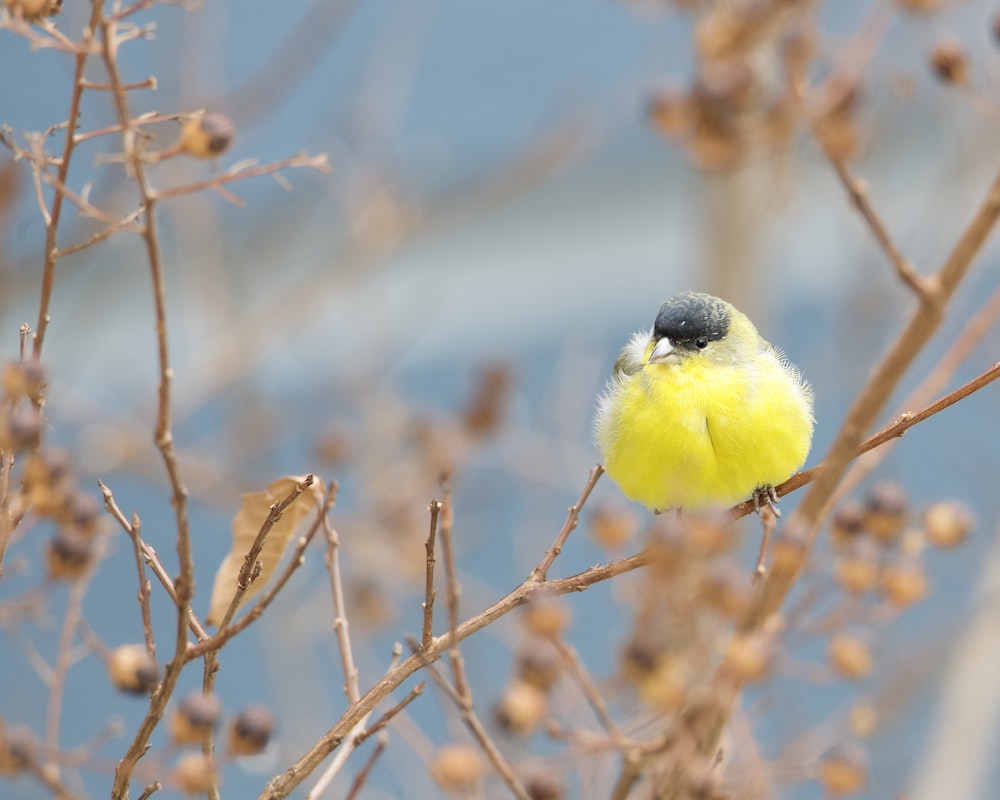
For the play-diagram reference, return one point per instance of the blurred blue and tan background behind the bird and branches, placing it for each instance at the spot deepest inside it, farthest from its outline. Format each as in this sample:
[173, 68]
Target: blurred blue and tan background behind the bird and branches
[510, 197]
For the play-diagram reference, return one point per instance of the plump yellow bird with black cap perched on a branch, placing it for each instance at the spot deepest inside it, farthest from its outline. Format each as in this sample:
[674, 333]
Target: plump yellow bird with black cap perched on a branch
[702, 412]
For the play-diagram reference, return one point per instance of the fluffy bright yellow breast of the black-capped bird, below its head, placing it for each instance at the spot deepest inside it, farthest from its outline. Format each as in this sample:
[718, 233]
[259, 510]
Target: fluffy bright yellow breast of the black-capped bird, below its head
[701, 434]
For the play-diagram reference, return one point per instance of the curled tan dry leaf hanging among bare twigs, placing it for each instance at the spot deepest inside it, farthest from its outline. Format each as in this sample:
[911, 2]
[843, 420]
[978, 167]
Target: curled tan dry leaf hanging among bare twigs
[247, 524]
